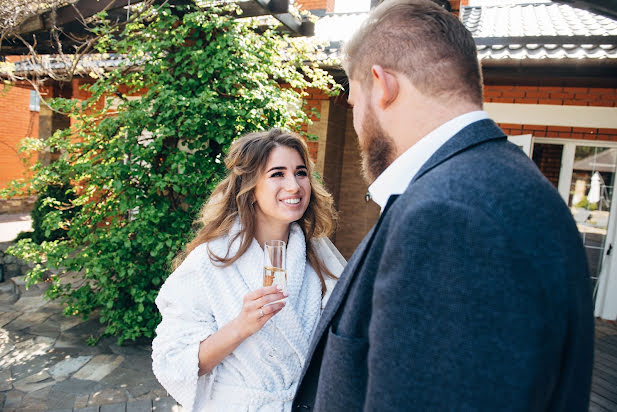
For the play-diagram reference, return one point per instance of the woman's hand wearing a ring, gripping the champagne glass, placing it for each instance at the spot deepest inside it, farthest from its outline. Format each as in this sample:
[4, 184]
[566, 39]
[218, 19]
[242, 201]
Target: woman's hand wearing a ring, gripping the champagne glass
[257, 309]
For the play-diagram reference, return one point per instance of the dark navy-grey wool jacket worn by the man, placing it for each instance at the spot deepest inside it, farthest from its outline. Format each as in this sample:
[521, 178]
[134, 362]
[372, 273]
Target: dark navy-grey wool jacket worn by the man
[470, 293]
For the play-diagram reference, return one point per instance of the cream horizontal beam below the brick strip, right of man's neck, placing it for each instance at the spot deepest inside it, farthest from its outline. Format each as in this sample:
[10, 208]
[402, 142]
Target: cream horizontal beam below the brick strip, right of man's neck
[553, 115]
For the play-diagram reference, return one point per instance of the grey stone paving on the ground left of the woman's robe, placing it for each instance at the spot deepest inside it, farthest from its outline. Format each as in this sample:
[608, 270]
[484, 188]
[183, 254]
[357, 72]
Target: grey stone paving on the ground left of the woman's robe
[46, 365]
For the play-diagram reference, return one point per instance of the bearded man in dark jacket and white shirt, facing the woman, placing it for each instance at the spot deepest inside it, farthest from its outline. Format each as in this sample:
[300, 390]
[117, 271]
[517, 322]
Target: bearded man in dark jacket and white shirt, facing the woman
[471, 292]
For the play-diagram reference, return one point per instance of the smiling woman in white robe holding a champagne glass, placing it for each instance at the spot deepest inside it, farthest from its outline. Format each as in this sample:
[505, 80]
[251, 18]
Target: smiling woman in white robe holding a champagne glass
[225, 342]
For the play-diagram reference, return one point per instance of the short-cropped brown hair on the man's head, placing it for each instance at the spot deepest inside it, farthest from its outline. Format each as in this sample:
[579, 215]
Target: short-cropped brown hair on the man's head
[420, 39]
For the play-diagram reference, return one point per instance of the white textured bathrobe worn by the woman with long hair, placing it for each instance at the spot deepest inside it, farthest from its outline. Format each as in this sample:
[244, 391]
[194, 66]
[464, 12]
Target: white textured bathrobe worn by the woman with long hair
[198, 298]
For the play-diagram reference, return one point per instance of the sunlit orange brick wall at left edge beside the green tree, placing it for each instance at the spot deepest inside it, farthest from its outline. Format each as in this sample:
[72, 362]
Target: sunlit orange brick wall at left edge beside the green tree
[16, 123]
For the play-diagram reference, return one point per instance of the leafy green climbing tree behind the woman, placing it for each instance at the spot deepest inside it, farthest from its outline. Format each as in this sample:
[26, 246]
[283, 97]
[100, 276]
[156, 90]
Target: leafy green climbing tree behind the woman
[140, 168]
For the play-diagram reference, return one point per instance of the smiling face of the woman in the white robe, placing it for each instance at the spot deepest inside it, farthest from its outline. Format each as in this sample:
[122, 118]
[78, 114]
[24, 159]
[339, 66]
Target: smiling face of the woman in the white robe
[283, 190]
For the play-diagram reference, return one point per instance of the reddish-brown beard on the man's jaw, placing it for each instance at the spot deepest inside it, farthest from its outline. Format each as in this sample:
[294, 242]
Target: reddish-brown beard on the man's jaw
[377, 149]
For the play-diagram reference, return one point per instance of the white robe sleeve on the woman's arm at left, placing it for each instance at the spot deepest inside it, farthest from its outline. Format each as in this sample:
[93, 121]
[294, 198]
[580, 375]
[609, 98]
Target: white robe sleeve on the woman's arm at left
[187, 321]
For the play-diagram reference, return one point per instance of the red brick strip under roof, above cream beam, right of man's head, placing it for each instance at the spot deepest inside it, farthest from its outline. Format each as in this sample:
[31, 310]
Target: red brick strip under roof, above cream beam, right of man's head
[573, 96]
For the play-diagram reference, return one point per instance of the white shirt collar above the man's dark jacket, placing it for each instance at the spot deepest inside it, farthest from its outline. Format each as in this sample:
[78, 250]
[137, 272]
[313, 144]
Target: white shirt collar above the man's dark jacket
[395, 179]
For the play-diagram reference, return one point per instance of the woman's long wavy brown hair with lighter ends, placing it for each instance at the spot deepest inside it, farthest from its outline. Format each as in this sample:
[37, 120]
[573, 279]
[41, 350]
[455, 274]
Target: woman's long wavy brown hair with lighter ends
[233, 198]
